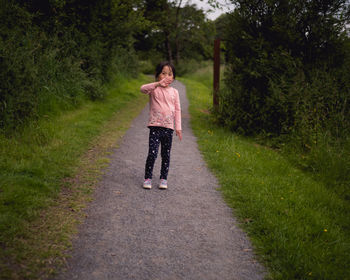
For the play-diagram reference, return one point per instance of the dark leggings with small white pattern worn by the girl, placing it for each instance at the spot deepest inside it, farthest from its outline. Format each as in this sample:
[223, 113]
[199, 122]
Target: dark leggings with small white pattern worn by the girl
[163, 136]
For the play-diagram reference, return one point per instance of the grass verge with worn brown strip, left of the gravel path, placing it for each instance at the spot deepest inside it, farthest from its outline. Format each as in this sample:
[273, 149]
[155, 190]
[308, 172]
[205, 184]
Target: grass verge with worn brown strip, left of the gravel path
[48, 174]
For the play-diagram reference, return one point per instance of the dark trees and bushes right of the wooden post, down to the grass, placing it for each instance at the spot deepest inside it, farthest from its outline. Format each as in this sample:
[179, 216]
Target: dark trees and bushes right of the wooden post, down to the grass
[288, 78]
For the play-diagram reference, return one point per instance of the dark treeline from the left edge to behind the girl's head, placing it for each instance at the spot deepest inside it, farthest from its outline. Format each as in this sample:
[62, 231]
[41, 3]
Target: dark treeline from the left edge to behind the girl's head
[55, 54]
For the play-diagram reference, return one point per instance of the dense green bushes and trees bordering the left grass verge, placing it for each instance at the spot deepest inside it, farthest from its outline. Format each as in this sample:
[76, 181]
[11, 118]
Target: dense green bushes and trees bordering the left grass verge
[55, 54]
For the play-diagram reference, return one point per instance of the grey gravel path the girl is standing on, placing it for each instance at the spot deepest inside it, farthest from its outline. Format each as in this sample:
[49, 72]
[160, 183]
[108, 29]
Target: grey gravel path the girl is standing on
[185, 232]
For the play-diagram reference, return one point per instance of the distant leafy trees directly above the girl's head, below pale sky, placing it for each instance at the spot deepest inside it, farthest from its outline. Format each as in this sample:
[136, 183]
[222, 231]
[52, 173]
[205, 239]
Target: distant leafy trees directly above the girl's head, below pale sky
[177, 32]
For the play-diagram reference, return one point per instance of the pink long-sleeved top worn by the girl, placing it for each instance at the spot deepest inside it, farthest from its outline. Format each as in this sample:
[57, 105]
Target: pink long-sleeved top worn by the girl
[164, 106]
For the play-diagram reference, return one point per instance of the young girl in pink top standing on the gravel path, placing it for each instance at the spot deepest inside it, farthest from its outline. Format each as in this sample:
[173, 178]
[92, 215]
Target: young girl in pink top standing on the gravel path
[164, 110]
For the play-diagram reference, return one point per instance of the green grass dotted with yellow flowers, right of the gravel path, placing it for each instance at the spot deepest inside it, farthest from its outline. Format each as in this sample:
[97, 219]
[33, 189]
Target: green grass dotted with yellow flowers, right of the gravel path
[299, 227]
